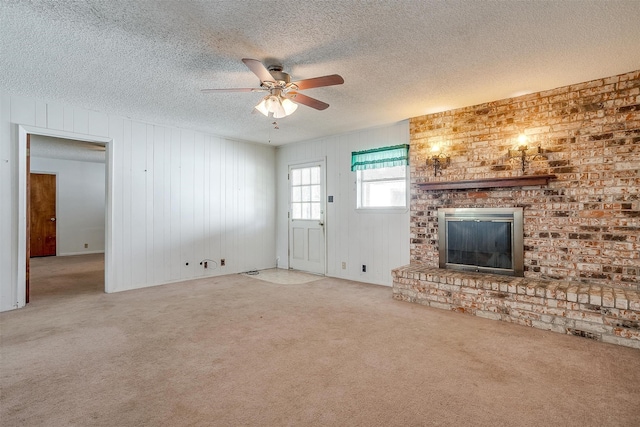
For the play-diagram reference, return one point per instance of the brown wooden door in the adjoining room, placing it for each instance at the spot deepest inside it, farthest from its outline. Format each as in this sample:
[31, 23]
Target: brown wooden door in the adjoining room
[42, 204]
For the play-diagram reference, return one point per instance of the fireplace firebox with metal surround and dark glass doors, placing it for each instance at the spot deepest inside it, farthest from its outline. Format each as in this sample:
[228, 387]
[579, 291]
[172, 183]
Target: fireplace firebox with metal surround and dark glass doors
[486, 240]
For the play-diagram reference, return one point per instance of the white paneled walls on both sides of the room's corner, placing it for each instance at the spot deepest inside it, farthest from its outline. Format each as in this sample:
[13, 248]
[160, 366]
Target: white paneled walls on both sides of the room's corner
[180, 196]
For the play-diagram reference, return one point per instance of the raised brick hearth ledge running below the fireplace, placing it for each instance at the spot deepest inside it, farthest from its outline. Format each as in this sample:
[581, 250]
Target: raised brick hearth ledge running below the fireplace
[602, 313]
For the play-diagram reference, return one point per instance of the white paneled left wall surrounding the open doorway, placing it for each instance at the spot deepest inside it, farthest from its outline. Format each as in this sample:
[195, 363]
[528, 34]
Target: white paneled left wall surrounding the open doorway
[178, 197]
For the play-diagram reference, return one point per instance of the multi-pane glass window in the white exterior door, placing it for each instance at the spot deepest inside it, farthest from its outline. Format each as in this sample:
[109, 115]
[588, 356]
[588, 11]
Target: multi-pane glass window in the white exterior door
[306, 193]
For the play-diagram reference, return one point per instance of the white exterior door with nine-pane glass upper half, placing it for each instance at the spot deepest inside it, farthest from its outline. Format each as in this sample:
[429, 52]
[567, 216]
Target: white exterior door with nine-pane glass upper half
[306, 218]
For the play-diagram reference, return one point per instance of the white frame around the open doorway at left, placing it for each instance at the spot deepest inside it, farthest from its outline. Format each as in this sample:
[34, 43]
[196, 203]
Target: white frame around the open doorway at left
[23, 180]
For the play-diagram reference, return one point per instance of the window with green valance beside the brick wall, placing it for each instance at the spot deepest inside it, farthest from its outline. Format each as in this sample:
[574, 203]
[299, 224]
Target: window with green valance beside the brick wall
[381, 177]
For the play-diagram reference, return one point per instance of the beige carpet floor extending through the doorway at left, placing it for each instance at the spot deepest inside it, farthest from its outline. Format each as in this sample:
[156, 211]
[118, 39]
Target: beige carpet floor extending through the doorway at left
[237, 351]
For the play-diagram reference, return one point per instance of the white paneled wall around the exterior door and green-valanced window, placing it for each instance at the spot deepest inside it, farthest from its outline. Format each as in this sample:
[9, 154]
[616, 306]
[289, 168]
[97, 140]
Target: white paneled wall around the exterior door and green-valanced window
[378, 240]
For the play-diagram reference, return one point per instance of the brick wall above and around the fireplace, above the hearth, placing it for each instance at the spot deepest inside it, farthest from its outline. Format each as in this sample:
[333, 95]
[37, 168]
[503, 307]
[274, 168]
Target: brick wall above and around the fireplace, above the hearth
[583, 226]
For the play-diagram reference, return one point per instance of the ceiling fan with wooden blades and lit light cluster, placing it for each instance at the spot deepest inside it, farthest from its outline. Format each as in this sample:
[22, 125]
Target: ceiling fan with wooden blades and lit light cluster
[283, 94]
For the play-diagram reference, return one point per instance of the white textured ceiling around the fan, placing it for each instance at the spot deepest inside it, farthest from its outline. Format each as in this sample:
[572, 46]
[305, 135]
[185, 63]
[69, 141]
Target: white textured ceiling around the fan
[148, 60]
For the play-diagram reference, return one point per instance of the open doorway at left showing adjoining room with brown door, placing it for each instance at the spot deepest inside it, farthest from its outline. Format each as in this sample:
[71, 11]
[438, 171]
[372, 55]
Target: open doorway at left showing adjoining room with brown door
[66, 210]
